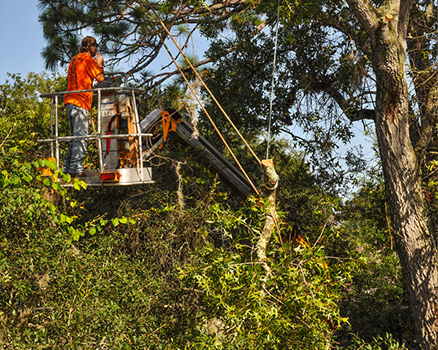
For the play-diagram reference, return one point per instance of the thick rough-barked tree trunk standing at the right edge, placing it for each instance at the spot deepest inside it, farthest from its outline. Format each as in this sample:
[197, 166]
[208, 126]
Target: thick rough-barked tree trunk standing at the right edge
[415, 245]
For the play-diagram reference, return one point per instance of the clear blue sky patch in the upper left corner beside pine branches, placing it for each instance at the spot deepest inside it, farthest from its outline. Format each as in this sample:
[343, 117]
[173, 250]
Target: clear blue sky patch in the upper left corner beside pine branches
[21, 38]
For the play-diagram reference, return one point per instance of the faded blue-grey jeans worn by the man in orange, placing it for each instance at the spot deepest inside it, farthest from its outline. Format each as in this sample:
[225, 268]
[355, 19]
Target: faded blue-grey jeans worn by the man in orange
[78, 119]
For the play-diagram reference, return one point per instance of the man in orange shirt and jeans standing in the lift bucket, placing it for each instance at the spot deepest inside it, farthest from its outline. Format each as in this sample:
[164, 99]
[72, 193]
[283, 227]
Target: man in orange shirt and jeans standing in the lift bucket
[82, 70]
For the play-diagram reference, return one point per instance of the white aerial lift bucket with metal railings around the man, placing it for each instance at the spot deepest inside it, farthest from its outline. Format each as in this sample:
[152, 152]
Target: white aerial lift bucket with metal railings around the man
[118, 138]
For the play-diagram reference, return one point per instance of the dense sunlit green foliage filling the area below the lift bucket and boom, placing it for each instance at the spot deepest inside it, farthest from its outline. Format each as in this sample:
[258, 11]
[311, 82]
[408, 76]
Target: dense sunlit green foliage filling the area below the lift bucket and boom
[126, 268]
